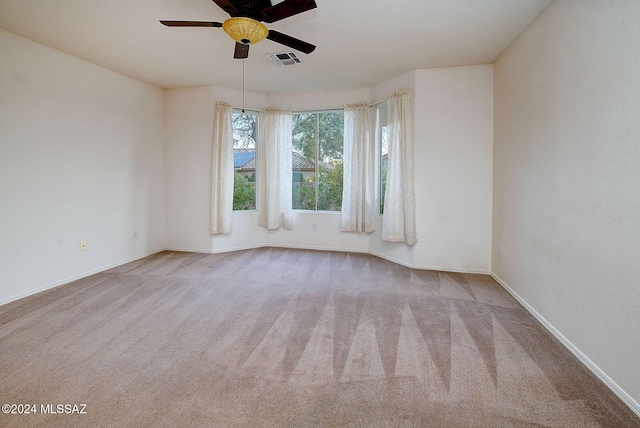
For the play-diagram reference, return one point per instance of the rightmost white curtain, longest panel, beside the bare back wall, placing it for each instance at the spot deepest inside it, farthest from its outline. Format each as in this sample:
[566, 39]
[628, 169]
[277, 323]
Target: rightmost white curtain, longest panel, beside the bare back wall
[399, 218]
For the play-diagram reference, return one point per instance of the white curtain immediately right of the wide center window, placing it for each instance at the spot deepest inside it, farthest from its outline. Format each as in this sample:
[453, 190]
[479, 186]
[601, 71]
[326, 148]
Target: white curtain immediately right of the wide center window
[358, 205]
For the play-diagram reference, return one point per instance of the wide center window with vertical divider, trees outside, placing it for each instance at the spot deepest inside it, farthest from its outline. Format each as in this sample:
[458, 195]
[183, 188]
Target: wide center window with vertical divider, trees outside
[317, 160]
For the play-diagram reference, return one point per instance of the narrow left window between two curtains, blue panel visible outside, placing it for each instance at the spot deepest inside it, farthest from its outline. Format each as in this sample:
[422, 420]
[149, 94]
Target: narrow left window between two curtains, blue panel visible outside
[245, 135]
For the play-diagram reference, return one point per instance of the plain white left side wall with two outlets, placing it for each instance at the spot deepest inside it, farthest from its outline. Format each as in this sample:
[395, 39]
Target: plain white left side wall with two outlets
[81, 158]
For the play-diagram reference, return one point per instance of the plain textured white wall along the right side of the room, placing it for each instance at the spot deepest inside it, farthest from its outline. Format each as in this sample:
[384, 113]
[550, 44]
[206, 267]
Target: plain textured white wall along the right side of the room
[567, 181]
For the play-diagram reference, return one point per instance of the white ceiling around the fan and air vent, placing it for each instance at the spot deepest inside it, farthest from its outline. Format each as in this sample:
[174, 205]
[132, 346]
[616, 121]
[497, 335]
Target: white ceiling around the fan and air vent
[359, 42]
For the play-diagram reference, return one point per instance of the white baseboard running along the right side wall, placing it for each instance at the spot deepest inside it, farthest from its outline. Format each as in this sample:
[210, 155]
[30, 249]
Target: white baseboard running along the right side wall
[626, 398]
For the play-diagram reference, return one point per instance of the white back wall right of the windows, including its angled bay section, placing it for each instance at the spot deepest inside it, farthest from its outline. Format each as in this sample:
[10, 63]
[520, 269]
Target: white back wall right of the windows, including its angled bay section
[453, 138]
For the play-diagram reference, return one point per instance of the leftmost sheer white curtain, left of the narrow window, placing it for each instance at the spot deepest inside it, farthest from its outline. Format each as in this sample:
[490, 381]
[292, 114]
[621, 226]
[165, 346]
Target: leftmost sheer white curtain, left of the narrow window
[222, 170]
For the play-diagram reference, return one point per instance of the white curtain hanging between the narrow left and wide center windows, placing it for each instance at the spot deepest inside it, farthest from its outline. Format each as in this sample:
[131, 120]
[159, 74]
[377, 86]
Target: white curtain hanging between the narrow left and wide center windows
[274, 169]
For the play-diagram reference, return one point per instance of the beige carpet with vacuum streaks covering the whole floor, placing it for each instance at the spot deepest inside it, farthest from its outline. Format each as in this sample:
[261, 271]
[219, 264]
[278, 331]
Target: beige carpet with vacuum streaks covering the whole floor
[290, 338]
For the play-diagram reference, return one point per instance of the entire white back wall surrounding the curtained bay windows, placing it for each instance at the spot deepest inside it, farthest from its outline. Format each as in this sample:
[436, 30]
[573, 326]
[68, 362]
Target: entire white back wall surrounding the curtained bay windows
[453, 136]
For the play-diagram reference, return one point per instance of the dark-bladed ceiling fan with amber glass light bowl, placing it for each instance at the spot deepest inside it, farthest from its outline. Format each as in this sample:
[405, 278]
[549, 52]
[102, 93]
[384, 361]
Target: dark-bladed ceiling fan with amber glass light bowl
[245, 25]
